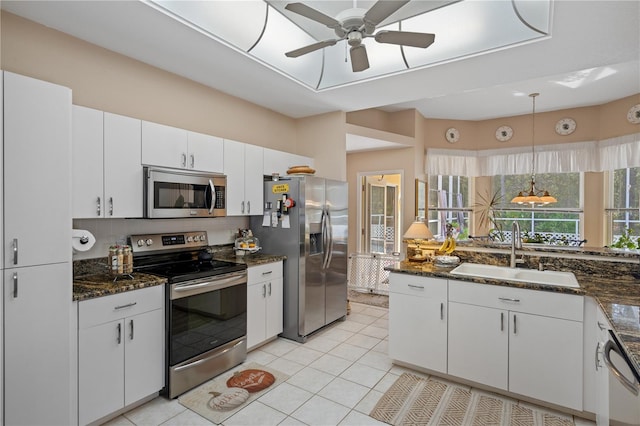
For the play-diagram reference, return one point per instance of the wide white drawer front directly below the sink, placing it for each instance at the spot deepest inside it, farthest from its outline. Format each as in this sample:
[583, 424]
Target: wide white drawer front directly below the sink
[557, 305]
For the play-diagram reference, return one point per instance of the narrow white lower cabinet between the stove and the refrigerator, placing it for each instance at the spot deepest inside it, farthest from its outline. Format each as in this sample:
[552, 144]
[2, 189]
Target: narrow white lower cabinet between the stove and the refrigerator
[264, 303]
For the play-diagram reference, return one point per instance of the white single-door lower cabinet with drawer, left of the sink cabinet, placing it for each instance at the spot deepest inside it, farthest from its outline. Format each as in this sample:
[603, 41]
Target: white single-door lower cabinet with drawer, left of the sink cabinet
[418, 321]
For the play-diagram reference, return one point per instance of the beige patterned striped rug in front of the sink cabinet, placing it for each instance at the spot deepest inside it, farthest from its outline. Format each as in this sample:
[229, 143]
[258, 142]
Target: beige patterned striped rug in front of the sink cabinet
[414, 400]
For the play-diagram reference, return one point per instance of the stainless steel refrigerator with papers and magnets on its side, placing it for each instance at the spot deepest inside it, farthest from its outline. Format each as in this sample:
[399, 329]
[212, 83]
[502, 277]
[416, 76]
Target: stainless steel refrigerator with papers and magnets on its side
[305, 219]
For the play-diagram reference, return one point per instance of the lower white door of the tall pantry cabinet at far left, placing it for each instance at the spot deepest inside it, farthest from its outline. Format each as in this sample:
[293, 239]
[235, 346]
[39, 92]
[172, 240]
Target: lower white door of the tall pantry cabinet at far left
[37, 345]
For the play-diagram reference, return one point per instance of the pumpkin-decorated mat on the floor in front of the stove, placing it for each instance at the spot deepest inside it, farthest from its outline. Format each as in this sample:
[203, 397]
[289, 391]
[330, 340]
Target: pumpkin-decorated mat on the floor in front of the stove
[221, 397]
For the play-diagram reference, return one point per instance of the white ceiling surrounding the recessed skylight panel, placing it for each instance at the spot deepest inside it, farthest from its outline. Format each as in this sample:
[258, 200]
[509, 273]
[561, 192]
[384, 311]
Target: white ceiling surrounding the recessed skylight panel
[592, 57]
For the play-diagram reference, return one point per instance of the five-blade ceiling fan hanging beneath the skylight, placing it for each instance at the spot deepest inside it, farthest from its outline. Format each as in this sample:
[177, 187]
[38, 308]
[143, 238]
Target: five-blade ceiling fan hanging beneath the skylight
[356, 24]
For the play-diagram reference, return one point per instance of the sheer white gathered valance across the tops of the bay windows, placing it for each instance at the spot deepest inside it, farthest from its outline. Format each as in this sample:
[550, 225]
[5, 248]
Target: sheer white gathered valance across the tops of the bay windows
[610, 154]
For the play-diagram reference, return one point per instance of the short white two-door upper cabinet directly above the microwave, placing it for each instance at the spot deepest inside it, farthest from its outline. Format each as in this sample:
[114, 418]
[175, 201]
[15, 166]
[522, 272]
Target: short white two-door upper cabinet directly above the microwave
[176, 148]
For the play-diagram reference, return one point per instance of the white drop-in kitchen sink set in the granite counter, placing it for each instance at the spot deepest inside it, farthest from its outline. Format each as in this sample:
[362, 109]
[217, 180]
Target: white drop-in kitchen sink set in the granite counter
[478, 270]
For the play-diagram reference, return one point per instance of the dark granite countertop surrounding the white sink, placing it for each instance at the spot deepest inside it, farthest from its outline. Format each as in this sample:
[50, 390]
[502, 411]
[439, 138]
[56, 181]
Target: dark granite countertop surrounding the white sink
[619, 298]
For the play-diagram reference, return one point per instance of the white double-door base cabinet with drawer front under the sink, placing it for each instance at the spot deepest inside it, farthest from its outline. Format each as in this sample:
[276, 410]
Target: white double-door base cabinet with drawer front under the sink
[525, 341]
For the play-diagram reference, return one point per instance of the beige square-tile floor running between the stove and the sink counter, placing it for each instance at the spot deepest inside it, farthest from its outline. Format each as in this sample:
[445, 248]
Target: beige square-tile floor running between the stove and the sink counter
[336, 378]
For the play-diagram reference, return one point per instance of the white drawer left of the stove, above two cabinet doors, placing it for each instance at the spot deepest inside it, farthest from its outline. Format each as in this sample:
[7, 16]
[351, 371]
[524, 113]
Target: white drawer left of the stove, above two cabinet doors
[111, 308]
